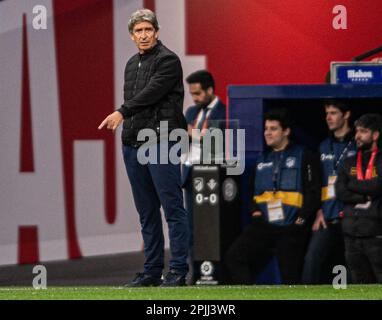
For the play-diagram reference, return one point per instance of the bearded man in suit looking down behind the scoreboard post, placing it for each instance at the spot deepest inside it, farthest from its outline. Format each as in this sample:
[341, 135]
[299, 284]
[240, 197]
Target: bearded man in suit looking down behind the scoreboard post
[208, 111]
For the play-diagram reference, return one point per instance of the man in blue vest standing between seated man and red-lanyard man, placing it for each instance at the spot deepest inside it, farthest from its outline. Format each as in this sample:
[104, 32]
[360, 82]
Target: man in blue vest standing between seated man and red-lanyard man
[326, 248]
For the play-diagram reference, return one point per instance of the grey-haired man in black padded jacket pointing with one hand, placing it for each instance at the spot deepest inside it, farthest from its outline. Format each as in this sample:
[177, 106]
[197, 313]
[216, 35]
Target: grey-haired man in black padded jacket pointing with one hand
[153, 94]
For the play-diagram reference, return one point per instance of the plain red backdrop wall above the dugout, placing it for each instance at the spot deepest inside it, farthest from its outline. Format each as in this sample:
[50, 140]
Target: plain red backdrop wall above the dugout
[278, 42]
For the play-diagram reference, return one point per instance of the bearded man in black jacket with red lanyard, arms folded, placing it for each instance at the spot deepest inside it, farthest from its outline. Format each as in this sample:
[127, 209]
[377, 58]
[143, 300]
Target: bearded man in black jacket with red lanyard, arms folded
[359, 186]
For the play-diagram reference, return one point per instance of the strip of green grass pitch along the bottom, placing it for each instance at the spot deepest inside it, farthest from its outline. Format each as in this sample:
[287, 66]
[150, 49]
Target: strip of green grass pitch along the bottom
[359, 292]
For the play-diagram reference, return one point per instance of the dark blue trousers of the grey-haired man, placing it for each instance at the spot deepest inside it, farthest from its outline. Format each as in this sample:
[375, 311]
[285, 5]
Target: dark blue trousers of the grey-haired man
[153, 186]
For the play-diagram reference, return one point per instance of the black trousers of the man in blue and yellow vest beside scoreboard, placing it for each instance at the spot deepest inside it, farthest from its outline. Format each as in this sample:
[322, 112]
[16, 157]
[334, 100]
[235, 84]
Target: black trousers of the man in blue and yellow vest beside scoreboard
[250, 253]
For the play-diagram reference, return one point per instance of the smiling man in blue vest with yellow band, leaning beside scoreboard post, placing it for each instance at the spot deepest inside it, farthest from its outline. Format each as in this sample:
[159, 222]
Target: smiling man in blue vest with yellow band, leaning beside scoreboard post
[285, 199]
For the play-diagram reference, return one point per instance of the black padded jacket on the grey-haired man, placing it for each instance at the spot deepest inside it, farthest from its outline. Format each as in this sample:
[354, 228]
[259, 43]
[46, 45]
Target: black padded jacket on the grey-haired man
[153, 92]
